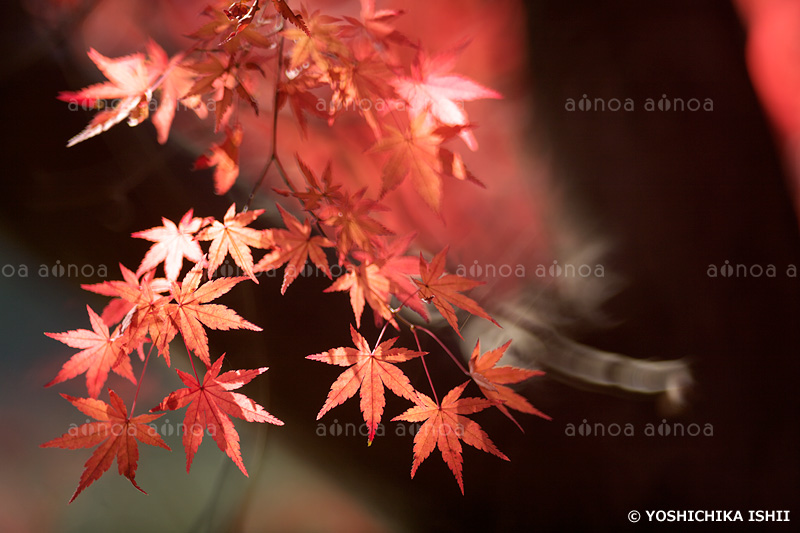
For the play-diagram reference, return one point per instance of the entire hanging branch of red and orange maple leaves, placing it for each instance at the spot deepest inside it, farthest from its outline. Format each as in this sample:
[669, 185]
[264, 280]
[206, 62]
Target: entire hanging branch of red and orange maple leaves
[342, 62]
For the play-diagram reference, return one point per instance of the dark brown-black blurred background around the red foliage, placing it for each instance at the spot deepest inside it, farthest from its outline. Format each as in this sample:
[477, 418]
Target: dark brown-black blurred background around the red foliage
[675, 192]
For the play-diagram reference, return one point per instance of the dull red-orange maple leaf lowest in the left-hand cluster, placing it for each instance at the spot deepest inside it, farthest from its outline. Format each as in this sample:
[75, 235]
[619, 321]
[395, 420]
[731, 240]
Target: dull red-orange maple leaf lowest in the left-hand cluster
[116, 434]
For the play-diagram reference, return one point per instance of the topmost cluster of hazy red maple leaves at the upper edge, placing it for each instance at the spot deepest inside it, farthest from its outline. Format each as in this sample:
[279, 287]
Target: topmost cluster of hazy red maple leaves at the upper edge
[357, 60]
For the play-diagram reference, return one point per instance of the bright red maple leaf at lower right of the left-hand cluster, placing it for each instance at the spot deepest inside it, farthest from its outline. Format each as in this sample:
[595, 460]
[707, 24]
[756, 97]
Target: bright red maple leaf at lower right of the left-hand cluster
[210, 407]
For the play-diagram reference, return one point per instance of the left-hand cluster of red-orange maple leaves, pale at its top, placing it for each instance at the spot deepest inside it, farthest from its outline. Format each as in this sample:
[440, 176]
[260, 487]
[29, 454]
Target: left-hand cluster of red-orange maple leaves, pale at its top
[147, 311]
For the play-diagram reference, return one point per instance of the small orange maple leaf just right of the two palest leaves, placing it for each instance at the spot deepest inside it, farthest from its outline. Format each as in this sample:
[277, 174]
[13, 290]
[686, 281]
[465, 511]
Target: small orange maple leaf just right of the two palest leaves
[295, 246]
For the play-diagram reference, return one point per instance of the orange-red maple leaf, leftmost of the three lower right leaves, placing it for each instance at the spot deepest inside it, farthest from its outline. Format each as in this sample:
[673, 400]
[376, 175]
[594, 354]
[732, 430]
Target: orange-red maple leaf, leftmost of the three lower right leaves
[369, 371]
